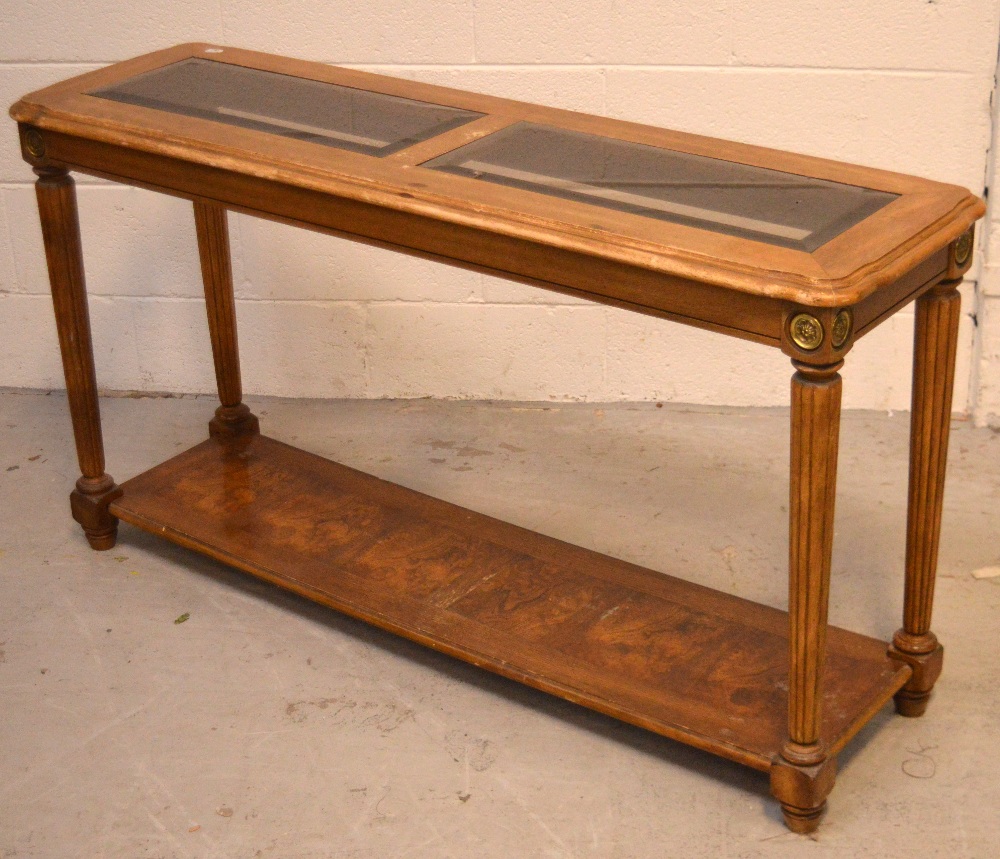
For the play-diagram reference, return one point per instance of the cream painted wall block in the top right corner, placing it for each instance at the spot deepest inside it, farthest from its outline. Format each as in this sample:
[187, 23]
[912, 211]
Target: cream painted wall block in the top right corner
[858, 34]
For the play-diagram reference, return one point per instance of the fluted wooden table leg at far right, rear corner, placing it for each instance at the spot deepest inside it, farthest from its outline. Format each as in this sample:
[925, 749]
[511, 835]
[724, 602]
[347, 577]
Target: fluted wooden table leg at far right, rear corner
[935, 344]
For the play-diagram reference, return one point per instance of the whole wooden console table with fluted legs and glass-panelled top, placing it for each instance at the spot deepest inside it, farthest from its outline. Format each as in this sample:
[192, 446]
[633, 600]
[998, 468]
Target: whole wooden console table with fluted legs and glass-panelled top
[797, 253]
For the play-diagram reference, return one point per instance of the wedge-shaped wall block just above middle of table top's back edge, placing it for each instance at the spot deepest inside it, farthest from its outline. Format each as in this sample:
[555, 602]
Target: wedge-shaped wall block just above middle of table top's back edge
[570, 89]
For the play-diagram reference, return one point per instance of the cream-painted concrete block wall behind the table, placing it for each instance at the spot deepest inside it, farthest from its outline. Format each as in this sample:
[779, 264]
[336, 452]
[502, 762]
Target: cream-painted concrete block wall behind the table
[901, 84]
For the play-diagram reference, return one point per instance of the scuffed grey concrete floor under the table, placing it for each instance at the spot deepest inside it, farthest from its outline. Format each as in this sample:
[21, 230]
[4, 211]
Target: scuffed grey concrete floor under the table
[265, 726]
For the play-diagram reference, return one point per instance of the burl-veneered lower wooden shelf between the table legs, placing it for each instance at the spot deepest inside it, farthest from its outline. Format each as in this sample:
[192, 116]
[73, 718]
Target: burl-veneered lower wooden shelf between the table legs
[676, 658]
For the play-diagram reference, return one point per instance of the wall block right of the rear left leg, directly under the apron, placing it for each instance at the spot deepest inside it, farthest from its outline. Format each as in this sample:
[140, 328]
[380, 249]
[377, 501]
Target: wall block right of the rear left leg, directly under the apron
[281, 262]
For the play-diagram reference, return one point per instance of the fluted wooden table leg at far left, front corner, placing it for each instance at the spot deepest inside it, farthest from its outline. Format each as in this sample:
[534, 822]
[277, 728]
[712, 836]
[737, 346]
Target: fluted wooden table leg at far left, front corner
[96, 489]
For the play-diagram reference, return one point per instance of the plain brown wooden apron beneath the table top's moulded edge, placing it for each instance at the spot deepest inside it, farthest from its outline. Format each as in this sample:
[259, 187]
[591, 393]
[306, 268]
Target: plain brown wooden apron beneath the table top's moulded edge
[757, 318]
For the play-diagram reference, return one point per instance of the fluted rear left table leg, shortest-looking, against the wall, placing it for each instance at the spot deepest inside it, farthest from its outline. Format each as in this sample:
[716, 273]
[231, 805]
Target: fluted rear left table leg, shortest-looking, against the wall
[232, 418]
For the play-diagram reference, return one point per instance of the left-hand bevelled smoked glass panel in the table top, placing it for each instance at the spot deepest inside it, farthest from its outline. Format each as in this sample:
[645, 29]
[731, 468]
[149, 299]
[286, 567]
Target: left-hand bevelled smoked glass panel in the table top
[315, 111]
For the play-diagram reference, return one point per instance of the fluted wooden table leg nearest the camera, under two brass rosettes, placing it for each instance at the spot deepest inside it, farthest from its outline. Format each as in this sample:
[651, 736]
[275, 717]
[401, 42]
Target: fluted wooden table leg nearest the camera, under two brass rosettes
[804, 774]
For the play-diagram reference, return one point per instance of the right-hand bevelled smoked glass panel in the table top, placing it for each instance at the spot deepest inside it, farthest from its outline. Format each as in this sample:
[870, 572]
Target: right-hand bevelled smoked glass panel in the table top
[736, 199]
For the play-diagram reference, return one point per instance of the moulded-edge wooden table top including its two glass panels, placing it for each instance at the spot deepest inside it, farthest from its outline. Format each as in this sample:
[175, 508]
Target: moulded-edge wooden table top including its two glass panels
[755, 220]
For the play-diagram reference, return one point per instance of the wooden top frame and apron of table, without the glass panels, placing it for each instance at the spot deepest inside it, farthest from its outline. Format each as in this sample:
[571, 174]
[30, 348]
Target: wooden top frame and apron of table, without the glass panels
[741, 286]
